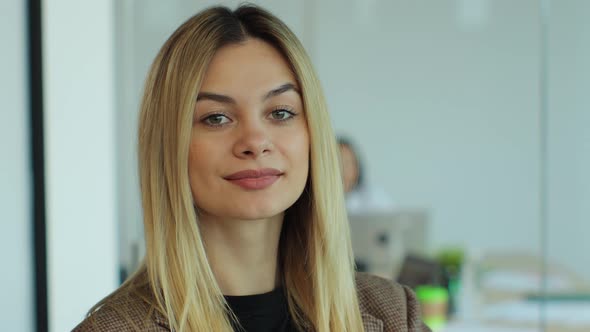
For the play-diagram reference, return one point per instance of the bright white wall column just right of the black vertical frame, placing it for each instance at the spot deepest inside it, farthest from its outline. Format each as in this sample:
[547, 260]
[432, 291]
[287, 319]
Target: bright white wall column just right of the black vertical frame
[78, 44]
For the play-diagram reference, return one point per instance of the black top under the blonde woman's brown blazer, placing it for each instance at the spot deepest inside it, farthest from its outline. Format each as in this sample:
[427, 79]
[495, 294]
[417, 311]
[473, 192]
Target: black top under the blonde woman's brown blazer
[262, 312]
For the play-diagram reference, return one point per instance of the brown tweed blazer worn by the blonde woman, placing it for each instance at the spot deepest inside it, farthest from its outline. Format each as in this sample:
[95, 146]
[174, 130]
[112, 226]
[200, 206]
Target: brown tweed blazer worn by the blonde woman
[385, 307]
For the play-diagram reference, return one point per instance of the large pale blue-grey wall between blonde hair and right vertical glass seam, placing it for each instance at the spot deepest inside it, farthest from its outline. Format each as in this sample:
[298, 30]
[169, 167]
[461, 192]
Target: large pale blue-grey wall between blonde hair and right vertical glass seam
[442, 97]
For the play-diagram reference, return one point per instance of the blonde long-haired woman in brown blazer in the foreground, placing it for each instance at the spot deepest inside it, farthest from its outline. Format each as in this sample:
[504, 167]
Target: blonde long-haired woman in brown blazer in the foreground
[244, 216]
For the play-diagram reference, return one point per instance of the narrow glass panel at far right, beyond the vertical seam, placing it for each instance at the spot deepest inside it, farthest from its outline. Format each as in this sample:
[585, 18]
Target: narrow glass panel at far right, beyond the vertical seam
[566, 305]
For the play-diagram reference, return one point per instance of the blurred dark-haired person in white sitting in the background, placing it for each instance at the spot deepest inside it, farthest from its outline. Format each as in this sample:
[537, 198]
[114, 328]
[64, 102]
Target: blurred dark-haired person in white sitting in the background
[360, 196]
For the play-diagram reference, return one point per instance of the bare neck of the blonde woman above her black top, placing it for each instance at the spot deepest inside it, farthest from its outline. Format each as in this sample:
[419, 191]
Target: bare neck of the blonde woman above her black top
[243, 253]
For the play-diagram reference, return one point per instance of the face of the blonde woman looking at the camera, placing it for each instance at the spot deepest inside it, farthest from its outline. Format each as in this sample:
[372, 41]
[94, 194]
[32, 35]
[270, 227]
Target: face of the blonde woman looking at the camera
[249, 150]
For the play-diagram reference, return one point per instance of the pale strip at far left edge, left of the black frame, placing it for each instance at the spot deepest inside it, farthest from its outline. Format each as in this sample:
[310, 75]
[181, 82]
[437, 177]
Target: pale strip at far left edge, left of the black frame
[16, 231]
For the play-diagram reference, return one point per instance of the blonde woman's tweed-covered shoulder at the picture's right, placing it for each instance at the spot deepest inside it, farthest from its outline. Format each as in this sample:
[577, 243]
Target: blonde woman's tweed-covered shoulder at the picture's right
[394, 304]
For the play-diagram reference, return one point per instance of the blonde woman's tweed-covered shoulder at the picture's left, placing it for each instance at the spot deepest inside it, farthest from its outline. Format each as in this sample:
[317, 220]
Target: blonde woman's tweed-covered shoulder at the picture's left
[127, 312]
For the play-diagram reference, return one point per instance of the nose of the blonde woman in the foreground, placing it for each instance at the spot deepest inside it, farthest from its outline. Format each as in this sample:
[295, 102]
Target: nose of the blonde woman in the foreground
[253, 142]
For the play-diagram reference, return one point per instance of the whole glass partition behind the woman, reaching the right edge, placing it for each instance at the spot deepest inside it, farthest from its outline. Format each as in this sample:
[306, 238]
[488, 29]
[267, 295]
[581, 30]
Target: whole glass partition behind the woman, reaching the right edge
[469, 118]
